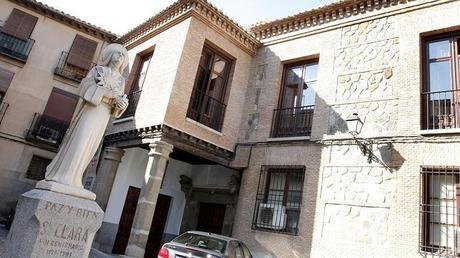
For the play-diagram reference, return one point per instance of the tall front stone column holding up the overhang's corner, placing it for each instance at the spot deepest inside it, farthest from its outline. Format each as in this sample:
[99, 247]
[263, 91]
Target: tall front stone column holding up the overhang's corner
[156, 166]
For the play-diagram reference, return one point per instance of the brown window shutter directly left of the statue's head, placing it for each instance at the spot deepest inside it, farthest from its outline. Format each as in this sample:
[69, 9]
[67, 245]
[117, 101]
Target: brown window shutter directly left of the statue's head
[81, 53]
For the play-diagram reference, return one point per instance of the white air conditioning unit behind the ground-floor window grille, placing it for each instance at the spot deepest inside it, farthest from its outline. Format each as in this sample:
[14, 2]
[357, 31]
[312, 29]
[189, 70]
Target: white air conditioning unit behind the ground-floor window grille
[272, 216]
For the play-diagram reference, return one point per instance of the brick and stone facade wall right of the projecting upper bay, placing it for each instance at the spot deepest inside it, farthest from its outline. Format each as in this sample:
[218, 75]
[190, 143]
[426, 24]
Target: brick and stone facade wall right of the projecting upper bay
[371, 66]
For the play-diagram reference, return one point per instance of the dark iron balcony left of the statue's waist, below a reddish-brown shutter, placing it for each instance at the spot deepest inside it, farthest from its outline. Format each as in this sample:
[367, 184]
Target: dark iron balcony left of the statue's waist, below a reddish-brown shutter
[47, 129]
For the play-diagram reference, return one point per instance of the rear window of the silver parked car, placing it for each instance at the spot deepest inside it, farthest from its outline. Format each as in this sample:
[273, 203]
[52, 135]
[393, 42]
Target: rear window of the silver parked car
[205, 242]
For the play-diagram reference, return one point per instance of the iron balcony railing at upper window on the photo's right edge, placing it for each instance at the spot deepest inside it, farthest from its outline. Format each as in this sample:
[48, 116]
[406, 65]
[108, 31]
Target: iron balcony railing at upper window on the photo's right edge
[441, 109]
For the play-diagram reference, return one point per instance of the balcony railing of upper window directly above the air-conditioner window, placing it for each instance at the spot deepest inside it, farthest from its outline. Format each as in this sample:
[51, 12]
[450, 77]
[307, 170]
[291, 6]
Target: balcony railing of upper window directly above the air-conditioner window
[292, 122]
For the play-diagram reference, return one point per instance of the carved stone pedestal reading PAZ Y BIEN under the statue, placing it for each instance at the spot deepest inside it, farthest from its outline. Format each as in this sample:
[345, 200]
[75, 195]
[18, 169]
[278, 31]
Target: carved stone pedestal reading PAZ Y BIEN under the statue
[49, 224]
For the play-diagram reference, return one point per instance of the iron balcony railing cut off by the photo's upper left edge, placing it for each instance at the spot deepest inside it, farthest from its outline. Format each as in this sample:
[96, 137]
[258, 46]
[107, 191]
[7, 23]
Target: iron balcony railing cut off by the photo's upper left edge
[15, 47]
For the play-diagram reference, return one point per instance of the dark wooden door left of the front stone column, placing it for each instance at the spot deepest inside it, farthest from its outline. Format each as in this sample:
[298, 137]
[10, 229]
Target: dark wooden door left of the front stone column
[126, 220]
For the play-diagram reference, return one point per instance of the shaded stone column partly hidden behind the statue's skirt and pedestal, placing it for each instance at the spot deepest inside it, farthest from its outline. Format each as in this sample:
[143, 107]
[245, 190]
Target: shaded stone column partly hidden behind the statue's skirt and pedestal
[106, 172]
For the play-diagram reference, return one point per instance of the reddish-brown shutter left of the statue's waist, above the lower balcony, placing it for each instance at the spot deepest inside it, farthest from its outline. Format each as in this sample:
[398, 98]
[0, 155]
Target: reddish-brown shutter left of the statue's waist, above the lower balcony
[61, 105]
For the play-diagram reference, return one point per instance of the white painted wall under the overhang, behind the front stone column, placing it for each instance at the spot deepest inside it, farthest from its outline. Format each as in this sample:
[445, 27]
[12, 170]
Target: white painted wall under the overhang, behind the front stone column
[131, 173]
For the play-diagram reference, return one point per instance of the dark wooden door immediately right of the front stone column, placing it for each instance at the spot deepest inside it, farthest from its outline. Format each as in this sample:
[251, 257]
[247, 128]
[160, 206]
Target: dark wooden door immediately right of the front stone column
[157, 227]
